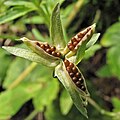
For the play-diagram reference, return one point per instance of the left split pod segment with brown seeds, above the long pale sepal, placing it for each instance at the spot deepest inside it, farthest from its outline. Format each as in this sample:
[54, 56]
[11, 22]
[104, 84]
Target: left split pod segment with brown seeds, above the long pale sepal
[43, 49]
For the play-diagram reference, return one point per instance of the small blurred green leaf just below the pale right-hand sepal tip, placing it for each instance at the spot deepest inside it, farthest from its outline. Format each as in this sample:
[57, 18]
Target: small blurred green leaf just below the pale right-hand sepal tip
[91, 51]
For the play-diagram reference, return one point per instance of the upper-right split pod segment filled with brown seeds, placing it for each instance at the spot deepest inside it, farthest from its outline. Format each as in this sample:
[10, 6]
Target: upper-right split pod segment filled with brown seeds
[78, 39]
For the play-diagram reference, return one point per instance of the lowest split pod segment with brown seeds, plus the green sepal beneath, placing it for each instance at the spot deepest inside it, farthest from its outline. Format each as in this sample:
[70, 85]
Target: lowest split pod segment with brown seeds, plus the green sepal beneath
[74, 82]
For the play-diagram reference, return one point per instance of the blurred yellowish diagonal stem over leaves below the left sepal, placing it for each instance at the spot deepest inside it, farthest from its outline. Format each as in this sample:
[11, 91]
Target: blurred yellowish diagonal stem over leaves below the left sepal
[23, 75]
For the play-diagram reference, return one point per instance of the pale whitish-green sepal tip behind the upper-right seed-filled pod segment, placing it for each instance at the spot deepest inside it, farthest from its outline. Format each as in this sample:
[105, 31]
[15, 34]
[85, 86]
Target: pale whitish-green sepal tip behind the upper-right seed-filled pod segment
[93, 40]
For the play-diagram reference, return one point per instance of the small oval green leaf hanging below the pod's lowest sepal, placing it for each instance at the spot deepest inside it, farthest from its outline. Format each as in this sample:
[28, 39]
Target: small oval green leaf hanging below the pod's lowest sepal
[65, 102]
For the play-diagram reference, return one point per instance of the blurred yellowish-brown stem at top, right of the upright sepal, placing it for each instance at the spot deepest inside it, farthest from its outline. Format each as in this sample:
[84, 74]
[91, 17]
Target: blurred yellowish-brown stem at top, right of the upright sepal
[72, 15]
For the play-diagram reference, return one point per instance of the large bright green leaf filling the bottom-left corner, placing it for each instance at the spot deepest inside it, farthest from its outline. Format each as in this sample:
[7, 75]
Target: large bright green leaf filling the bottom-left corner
[12, 100]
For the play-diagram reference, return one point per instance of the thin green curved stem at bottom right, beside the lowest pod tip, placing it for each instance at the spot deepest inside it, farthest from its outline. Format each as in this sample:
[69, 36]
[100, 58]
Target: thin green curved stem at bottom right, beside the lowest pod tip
[101, 110]
